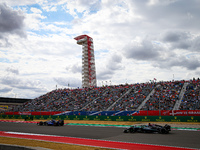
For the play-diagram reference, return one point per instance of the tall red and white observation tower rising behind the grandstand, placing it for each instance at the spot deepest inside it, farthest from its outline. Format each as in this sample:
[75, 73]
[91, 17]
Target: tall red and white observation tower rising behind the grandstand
[88, 61]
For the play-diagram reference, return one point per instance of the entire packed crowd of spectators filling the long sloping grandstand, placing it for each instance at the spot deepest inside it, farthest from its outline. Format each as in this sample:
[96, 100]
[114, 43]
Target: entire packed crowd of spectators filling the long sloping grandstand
[117, 98]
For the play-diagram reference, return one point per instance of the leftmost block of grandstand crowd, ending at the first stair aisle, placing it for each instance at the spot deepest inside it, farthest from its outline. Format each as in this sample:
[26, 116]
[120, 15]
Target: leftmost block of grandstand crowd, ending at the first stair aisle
[62, 100]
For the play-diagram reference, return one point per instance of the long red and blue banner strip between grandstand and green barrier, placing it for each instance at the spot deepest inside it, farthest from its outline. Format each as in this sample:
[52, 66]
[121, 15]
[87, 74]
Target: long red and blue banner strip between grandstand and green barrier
[113, 113]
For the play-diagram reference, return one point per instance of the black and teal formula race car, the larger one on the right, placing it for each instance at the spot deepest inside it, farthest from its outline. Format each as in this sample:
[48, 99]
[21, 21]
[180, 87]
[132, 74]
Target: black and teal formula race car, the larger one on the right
[150, 128]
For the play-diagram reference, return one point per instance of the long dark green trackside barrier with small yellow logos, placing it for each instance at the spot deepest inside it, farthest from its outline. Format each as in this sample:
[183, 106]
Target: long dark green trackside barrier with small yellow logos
[107, 118]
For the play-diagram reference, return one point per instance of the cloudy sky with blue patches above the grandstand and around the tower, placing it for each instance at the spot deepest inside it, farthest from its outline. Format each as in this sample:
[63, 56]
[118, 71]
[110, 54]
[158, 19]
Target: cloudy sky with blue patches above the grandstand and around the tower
[134, 41]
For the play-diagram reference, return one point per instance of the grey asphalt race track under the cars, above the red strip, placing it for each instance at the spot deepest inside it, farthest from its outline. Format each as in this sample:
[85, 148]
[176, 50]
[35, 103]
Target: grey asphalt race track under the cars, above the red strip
[189, 139]
